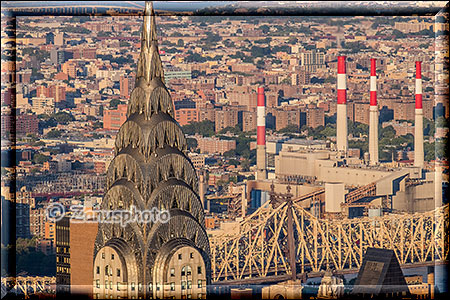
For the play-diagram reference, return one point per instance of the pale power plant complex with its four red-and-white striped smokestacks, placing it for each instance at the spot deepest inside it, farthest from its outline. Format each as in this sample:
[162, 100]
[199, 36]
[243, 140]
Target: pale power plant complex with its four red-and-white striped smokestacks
[333, 182]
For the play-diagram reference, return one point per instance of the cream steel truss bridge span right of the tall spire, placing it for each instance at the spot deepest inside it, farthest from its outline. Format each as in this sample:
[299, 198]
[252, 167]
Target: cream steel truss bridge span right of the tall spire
[261, 247]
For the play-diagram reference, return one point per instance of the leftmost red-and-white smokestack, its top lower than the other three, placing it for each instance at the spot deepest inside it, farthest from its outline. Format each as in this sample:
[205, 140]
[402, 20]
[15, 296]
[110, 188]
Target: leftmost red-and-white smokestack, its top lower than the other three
[261, 172]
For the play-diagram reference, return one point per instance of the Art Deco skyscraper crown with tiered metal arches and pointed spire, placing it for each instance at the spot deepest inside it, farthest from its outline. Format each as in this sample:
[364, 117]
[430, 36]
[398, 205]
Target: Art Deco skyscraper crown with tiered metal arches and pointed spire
[151, 170]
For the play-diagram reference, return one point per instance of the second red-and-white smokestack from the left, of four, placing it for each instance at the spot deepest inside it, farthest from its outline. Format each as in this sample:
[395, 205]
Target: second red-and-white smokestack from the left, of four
[341, 121]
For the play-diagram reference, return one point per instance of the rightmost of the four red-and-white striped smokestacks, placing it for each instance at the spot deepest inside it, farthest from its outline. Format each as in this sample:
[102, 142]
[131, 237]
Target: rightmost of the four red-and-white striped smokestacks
[418, 126]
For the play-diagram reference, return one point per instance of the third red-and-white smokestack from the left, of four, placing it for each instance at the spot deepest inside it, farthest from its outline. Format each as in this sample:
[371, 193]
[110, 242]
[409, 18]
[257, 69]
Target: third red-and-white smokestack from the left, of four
[373, 121]
